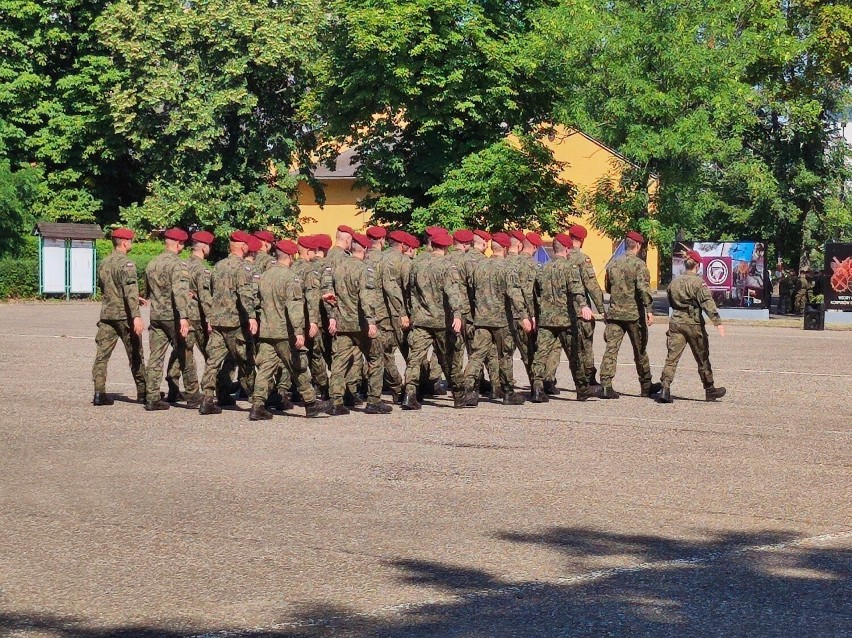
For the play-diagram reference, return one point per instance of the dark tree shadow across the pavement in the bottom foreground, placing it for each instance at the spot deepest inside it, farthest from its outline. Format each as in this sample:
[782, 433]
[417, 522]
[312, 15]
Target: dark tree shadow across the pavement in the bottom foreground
[761, 584]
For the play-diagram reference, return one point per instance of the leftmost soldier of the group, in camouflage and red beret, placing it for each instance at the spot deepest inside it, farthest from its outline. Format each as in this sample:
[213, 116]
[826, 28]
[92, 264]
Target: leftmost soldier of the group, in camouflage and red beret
[119, 318]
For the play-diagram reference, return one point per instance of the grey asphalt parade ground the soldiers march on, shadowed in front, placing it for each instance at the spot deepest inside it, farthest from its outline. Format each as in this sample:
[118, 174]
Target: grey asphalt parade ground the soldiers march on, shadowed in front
[604, 518]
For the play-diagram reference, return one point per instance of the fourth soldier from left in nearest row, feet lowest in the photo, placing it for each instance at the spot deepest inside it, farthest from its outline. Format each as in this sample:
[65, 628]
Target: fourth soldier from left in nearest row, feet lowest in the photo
[281, 338]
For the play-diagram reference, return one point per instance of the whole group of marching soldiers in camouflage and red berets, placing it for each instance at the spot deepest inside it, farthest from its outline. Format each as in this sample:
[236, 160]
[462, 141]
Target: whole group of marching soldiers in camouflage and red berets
[322, 321]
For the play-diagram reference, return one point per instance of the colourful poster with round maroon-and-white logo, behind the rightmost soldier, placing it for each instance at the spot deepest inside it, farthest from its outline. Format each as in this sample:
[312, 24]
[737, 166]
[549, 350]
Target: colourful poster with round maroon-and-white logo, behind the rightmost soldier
[735, 272]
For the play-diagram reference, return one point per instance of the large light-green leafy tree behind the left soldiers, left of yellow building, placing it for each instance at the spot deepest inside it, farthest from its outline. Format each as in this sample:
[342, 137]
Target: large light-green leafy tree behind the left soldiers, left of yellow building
[210, 98]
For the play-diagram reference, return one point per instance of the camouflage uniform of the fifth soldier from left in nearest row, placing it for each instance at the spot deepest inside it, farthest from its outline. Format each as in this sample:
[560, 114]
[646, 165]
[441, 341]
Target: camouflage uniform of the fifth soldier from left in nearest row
[354, 285]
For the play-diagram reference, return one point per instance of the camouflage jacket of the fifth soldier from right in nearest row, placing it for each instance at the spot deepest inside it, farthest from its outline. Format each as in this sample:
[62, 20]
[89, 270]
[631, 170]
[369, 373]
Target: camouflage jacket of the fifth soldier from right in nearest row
[435, 297]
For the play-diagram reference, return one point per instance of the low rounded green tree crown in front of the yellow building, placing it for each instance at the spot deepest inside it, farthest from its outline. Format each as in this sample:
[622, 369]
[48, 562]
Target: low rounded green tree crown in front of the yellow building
[505, 185]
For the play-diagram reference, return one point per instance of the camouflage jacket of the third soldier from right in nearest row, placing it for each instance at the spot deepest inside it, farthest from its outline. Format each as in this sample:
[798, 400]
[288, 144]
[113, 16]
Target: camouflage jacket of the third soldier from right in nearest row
[559, 292]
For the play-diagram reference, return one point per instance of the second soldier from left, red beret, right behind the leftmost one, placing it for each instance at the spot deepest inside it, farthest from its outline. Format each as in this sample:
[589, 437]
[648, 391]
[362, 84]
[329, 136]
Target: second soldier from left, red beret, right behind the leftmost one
[169, 298]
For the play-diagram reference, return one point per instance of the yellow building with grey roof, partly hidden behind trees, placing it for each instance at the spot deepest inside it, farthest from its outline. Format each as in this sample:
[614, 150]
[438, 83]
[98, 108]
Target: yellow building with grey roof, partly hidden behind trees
[586, 161]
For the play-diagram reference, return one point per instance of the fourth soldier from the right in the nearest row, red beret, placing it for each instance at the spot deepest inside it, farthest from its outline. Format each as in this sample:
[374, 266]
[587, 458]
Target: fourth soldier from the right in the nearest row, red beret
[496, 302]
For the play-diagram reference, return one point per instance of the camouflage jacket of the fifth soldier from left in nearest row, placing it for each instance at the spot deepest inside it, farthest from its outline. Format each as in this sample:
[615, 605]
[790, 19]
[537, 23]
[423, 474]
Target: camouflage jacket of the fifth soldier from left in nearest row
[354, 284]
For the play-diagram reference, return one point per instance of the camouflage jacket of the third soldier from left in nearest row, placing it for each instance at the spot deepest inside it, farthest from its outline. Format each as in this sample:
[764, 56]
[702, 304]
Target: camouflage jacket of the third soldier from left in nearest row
[234, 301]
